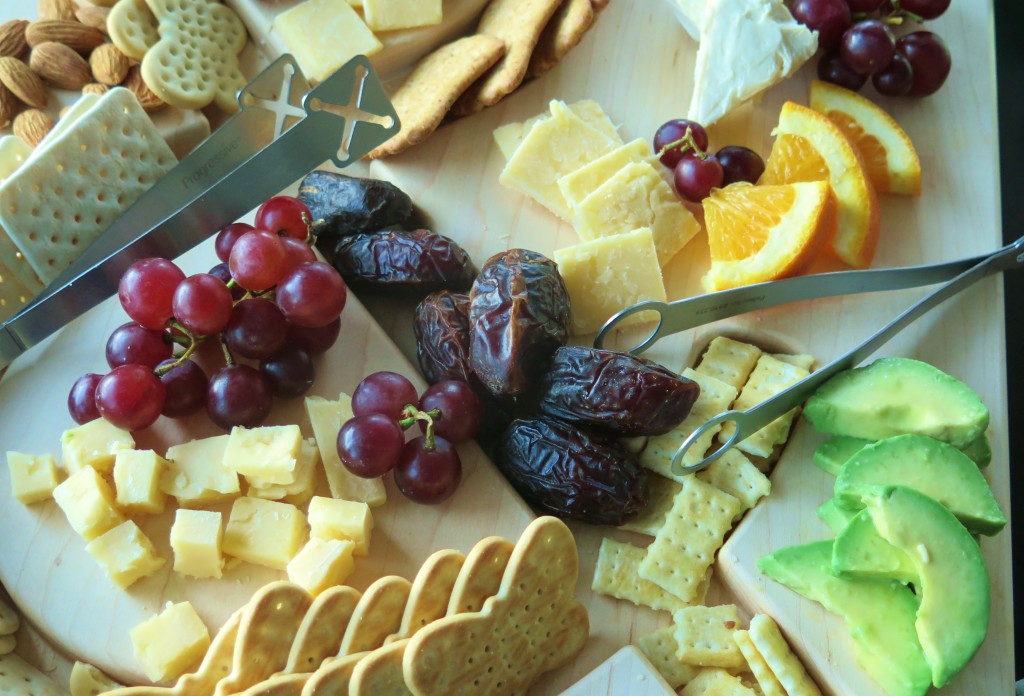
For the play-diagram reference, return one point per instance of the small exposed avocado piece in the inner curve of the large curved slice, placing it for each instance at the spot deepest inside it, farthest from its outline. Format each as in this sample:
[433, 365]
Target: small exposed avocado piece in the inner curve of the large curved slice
[861, 552]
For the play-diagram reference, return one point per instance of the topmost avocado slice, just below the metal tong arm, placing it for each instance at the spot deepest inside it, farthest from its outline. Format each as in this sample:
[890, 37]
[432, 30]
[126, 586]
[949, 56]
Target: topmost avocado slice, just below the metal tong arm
[898, 396]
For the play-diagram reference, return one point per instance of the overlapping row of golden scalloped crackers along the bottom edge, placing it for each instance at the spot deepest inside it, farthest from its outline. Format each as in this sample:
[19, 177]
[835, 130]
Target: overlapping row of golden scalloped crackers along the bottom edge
[490, 622]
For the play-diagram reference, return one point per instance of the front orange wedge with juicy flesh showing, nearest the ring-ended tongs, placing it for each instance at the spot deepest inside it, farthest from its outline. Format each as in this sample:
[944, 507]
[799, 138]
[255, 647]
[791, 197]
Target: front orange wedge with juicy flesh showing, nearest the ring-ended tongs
[760, 234]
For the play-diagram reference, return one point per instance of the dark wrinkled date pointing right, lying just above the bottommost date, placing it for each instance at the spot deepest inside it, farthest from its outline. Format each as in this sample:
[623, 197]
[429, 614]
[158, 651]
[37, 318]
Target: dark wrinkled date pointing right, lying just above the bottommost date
[616, 393]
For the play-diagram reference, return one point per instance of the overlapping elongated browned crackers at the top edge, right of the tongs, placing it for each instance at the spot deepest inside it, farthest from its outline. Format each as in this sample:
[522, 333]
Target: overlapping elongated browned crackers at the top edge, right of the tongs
[516, 40]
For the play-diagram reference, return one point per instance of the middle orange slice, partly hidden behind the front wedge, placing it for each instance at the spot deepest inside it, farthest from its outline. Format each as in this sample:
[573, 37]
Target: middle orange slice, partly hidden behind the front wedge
[810, 148]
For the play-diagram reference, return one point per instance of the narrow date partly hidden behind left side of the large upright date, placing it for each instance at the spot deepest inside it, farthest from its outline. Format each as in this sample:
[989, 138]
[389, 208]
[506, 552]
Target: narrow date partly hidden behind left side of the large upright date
[442, 328]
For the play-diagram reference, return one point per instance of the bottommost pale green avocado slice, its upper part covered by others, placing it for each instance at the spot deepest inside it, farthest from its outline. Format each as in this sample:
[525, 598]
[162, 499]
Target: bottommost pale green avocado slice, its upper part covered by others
[880, 615]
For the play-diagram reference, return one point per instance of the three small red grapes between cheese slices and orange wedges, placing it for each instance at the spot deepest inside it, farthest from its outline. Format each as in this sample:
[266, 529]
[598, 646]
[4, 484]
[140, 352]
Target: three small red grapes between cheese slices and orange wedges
[682, 146]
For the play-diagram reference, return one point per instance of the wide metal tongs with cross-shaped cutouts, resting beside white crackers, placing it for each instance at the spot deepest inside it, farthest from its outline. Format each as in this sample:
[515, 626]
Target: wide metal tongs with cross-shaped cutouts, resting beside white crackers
[283, 130]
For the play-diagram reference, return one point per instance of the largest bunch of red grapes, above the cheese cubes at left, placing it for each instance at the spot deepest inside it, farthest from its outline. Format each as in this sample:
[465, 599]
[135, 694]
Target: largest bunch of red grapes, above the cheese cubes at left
[270, 302]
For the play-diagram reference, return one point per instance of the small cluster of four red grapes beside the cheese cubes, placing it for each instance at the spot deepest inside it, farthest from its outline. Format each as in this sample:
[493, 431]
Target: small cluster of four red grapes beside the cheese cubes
[428, 468]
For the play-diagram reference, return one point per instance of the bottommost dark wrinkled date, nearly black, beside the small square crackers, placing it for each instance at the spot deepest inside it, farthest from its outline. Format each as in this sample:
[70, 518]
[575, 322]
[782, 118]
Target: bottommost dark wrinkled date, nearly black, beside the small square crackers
[565, 471]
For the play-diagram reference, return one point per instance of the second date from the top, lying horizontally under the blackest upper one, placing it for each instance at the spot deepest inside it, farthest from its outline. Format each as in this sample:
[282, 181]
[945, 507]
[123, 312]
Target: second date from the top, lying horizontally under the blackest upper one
[414, 263]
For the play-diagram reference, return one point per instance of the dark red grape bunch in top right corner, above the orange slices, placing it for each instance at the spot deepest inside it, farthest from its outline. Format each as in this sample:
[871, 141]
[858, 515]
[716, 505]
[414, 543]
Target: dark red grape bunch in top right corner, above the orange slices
[859, 41]
